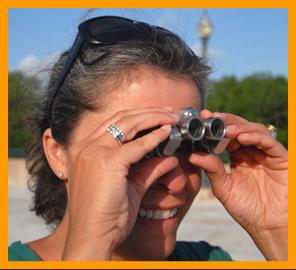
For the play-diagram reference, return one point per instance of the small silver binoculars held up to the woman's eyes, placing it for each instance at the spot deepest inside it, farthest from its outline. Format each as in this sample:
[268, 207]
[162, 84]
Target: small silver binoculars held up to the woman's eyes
[193, 134]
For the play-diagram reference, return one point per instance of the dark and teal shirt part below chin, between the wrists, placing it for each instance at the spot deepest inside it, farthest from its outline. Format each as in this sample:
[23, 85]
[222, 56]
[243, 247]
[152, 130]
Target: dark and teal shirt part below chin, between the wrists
[198, 251]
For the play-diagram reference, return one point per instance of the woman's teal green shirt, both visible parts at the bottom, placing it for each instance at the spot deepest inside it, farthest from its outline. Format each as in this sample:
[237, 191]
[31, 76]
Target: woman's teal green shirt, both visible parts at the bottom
[184, 251]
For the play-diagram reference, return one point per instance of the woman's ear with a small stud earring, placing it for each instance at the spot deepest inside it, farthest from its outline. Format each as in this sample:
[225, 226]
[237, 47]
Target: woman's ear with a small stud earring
[55, 154]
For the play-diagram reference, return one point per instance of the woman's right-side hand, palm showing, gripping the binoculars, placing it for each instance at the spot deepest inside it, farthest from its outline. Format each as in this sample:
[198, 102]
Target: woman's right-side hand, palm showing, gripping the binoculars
[255, 193]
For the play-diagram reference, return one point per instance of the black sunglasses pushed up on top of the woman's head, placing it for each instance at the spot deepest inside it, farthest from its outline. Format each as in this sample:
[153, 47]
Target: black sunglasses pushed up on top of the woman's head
[103, 31]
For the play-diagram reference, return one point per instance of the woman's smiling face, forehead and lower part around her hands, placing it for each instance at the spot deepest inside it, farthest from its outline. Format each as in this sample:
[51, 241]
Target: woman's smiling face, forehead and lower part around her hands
[152, 238]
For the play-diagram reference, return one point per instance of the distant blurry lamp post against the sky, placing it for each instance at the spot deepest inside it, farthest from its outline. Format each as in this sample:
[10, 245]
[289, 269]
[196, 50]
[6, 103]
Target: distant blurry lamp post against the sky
[205, 29]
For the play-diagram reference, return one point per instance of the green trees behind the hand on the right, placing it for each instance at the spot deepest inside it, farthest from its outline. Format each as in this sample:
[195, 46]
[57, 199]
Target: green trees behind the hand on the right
[259, 98]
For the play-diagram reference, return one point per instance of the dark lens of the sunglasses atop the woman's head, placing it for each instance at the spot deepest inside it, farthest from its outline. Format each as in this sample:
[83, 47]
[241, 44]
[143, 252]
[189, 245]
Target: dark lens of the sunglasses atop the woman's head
[113, 30]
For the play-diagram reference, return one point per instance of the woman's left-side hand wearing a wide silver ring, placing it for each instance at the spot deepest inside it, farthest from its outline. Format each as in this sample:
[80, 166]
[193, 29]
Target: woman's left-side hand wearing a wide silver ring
[104, 199]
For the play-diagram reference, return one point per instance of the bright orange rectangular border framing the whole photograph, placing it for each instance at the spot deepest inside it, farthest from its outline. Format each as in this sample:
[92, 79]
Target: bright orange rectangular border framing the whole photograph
[5, 5]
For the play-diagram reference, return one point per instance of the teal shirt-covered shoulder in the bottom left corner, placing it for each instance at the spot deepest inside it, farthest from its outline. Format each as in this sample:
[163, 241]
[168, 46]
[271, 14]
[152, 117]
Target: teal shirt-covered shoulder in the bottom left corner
[17, 251]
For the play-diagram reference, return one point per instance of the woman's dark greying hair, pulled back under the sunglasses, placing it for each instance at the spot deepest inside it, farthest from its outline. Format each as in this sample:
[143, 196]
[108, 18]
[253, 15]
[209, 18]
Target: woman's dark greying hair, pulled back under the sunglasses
[96, 71]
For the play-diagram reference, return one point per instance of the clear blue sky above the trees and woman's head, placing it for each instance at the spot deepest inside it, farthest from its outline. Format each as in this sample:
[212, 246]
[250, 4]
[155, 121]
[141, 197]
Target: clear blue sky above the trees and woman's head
[244, 41]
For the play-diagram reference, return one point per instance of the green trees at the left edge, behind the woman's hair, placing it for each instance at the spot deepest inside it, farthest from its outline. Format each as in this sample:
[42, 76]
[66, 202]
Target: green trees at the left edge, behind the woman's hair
[21, 100]
